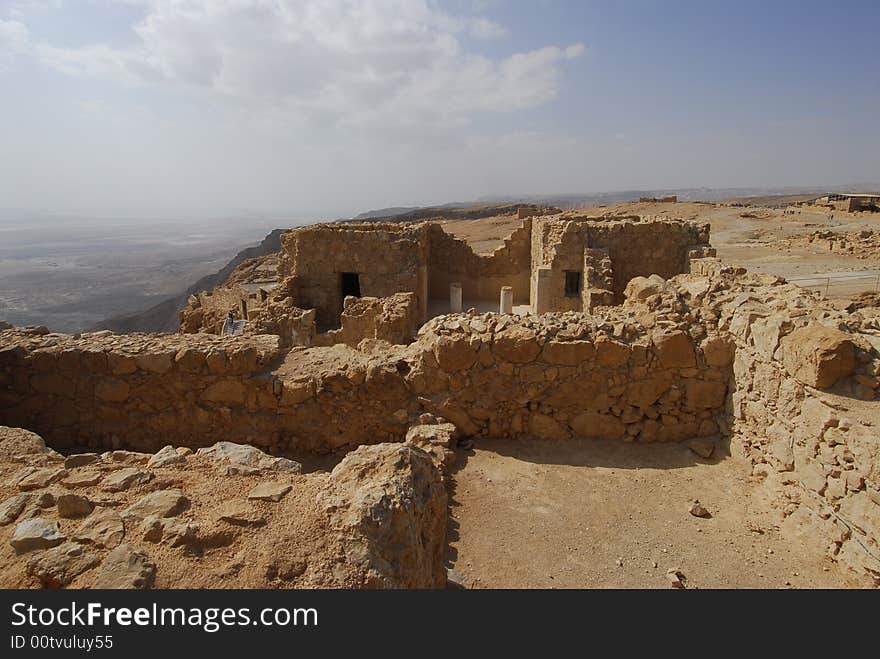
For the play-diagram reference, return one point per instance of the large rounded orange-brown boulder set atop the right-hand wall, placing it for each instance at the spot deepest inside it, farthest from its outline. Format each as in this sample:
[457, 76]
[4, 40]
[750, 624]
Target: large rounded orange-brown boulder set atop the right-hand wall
[819, 356]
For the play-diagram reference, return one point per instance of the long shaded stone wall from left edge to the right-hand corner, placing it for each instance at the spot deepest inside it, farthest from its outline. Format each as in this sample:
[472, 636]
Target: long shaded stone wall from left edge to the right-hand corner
[490, 375]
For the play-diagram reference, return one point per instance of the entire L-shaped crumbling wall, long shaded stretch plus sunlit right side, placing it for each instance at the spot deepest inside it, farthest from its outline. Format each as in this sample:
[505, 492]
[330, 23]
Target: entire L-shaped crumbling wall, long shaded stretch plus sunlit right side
[766, 362]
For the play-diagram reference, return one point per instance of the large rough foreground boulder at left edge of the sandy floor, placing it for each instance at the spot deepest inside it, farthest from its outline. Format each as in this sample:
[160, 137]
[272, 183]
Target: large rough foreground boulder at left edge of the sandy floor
[388, 502]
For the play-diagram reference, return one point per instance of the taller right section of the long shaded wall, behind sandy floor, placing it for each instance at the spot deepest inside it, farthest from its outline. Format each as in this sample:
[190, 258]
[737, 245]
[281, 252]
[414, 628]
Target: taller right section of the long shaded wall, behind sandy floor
[567, 376]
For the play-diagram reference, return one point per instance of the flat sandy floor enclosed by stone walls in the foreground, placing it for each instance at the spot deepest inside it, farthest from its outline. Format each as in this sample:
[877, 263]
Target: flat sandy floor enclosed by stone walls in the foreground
[529, 514]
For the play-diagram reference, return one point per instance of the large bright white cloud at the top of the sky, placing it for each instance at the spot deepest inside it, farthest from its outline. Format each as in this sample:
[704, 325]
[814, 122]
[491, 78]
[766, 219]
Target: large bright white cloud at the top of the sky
[353, 62]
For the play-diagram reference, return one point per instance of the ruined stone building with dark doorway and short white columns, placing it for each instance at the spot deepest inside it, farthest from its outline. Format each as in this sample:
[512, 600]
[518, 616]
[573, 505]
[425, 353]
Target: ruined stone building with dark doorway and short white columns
[558, 262]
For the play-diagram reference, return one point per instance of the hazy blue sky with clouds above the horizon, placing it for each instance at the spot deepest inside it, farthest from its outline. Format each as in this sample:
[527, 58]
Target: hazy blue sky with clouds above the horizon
[324, 108]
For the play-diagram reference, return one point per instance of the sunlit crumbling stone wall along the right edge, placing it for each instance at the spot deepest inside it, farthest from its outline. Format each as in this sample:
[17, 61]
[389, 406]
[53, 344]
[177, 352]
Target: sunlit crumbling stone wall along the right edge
[798, 362]
